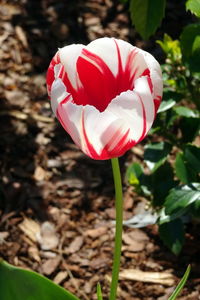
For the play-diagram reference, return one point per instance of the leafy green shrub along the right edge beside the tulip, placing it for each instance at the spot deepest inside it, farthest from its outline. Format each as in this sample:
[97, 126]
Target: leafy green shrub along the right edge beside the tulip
[172, 181]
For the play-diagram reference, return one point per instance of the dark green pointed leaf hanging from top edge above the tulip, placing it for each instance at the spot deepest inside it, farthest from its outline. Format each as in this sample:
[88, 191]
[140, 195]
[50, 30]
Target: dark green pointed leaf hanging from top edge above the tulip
[147, 15]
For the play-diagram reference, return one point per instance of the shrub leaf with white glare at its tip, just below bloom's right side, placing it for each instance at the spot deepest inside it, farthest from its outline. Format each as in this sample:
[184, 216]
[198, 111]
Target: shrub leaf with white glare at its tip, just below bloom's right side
[156, 154]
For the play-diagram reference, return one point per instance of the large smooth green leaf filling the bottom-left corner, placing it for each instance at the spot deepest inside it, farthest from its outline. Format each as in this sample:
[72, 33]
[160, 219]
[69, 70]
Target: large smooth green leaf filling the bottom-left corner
[19, 284]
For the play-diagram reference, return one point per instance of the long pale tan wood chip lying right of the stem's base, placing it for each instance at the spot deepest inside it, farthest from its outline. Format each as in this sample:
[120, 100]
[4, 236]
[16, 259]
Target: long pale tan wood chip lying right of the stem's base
[153, 277]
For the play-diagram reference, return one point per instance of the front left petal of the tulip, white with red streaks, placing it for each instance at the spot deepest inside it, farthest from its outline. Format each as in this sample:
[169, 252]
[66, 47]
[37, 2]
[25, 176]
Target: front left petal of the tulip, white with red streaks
[97, 134]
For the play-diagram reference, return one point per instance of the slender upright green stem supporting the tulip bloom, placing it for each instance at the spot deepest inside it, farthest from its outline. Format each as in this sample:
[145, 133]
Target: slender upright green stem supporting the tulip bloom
[118, 227]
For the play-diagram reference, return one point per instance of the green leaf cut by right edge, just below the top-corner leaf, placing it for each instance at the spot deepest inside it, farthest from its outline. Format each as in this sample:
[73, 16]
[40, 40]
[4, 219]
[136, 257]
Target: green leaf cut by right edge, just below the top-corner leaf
[190, 46]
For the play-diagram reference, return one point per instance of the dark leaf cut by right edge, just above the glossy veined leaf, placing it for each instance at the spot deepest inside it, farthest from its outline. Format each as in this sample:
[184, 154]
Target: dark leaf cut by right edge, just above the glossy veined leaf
[192, 155]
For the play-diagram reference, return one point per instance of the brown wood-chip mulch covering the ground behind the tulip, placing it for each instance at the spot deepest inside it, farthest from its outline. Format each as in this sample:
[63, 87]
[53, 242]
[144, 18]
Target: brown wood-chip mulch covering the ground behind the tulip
[57, 205]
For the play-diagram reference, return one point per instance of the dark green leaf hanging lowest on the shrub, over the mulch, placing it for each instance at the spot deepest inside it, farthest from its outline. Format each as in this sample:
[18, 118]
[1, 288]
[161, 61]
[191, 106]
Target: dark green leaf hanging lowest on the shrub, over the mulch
[173, 235]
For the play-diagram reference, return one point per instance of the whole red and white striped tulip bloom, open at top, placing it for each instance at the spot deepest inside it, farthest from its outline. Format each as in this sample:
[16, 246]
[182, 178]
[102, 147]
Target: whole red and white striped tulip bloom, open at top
[105, 95]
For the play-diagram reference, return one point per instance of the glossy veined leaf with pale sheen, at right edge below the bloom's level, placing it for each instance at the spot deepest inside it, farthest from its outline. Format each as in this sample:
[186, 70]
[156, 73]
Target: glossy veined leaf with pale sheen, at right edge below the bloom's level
[181, 198]
